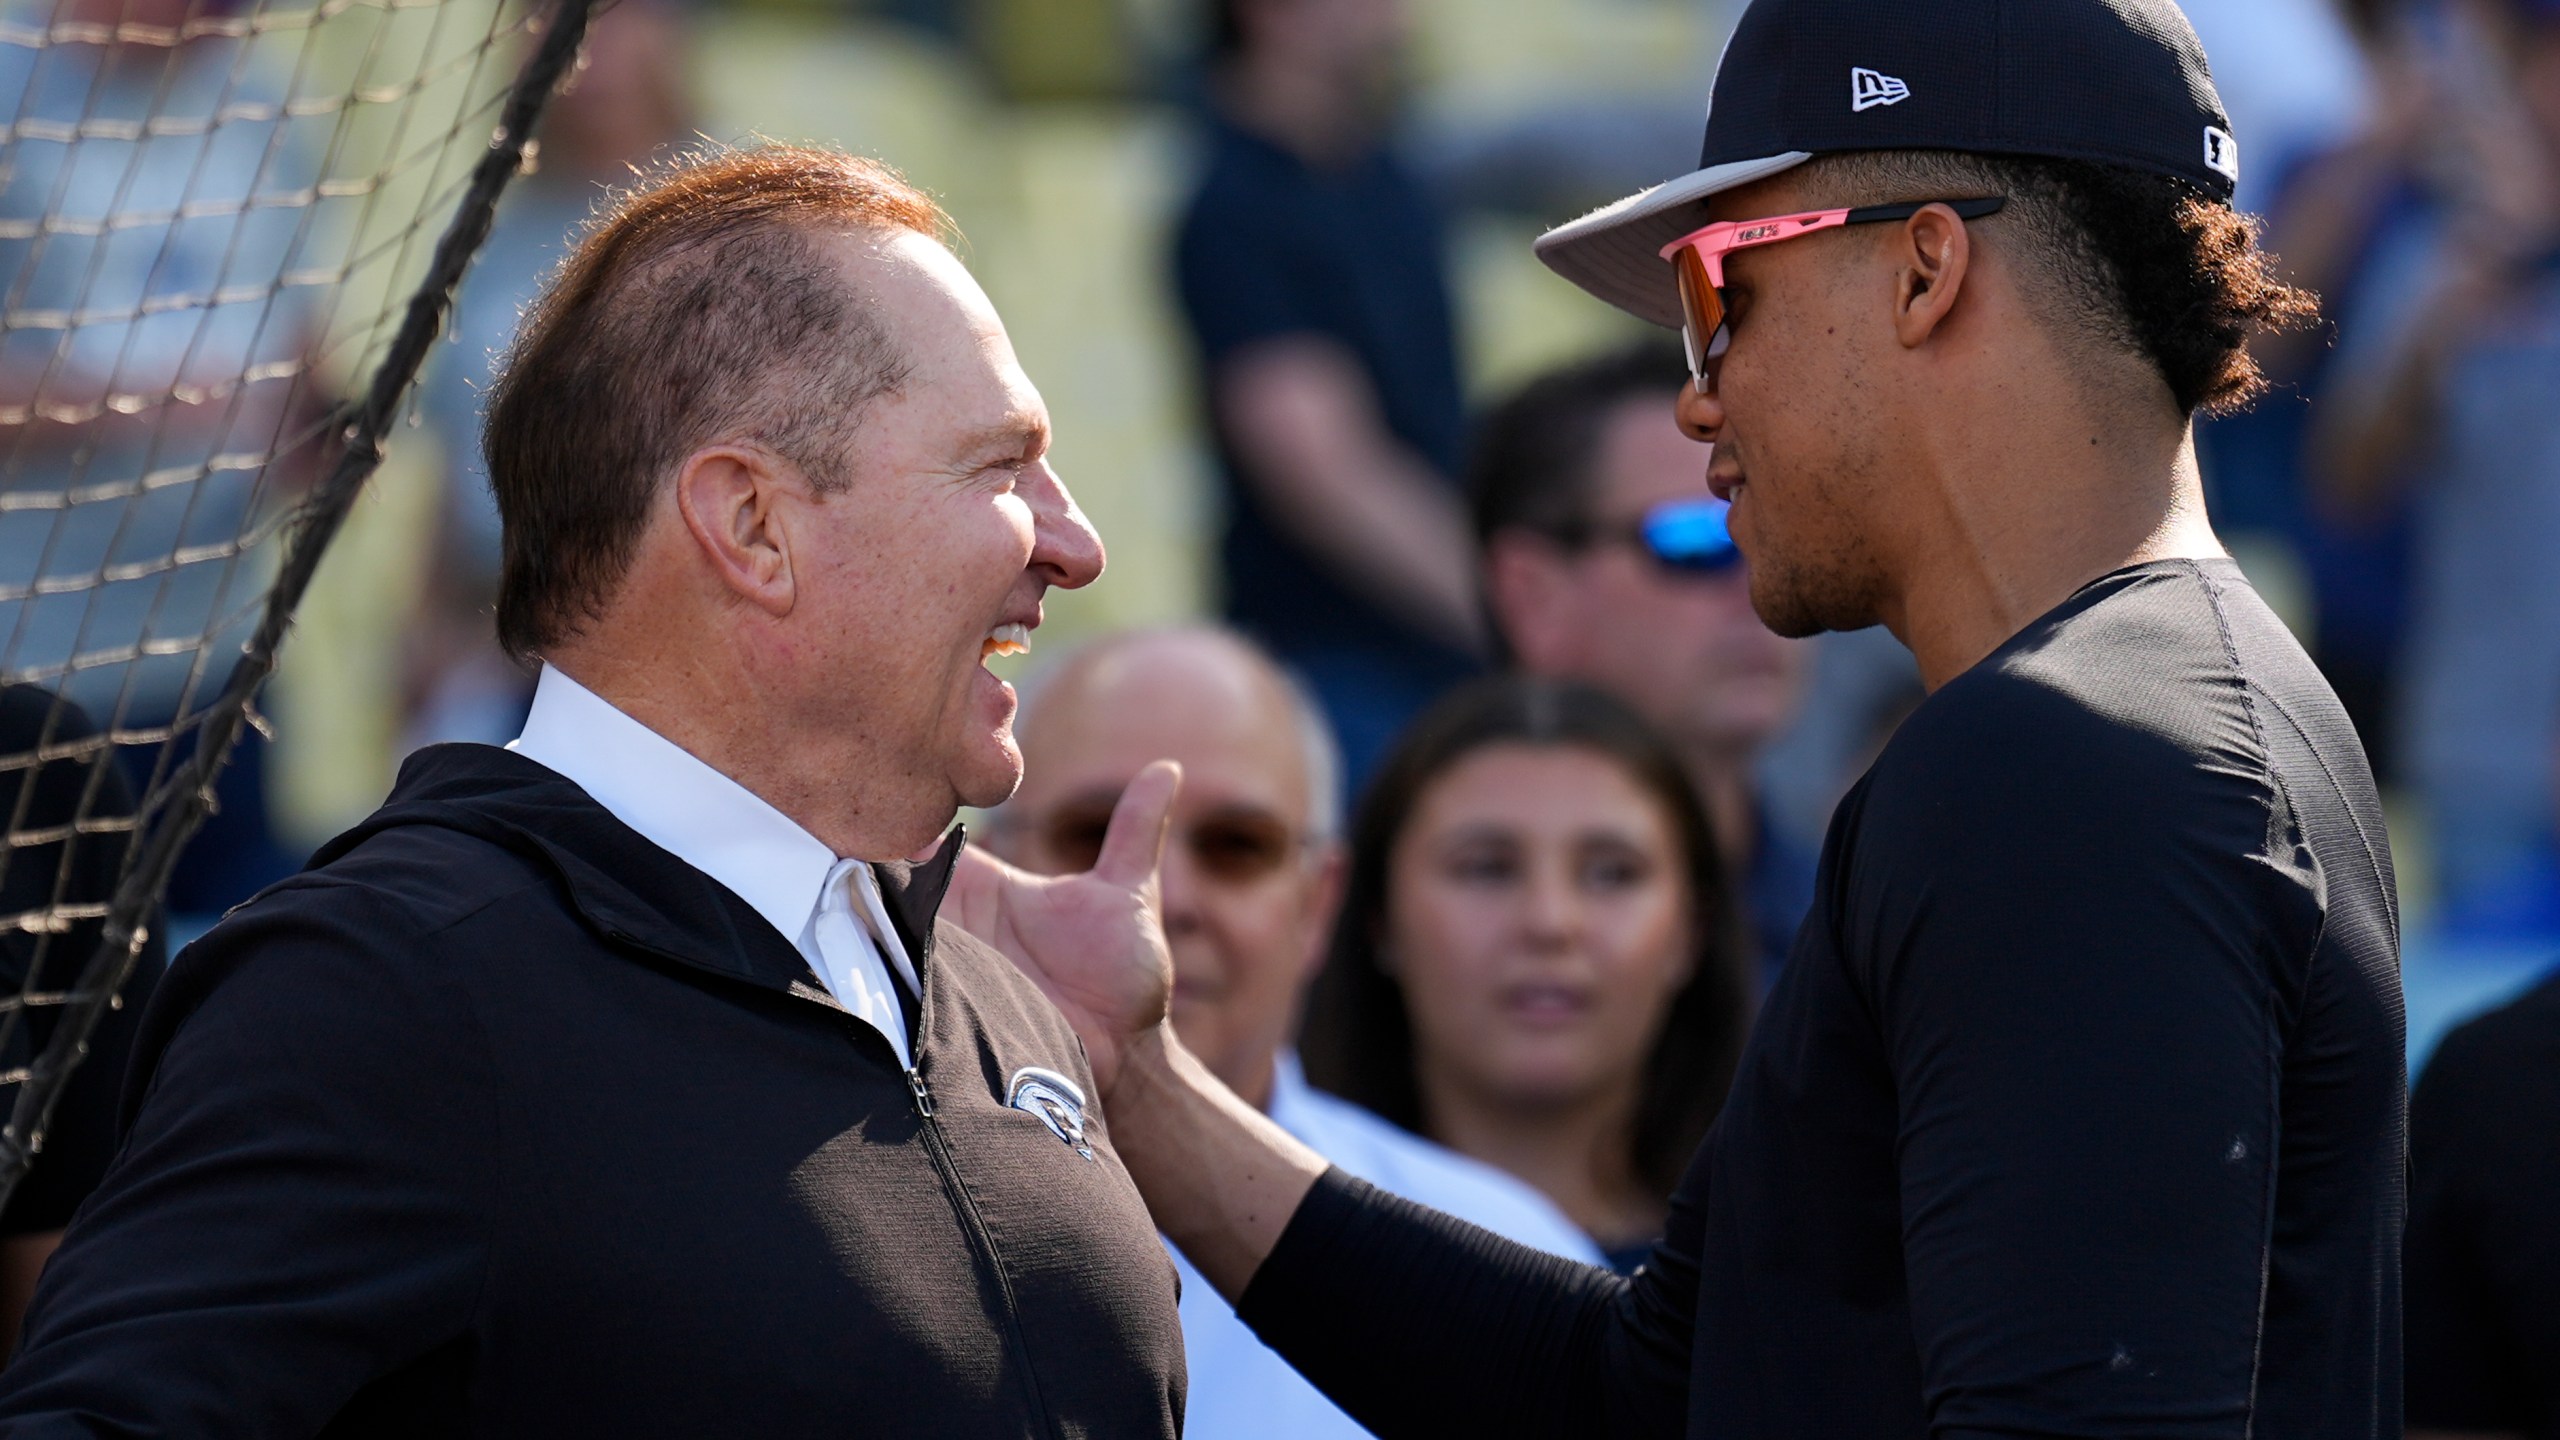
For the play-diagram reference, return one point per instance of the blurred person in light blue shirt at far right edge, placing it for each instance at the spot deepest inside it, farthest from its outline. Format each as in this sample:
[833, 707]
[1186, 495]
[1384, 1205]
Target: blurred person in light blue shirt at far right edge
[2446, 380]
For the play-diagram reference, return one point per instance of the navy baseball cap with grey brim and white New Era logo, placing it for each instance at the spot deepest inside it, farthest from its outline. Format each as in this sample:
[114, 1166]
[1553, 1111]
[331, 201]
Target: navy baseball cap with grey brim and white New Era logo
[2103, 81]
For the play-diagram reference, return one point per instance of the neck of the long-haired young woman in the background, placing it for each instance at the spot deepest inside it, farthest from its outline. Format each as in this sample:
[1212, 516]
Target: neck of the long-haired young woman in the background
[1576, 1154]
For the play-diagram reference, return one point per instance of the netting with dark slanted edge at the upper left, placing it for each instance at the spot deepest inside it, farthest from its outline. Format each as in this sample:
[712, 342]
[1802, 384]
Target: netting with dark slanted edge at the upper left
[229, 234]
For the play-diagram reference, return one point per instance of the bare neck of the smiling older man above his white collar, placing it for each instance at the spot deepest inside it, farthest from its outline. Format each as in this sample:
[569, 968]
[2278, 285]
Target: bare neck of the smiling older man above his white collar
[721, 716]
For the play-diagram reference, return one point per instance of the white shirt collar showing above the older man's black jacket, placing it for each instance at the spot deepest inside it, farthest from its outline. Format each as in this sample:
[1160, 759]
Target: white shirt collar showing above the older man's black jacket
[828, 908]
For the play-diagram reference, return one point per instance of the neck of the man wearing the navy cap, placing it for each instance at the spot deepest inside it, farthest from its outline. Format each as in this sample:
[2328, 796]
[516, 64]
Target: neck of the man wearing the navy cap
[2019, 521]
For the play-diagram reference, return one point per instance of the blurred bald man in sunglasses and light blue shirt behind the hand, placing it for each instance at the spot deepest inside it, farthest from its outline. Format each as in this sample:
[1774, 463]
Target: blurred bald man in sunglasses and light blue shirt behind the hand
[1251, 883]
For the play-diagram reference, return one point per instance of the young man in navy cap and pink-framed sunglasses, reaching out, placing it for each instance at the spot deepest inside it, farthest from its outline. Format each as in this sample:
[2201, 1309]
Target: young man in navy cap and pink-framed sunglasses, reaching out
[2080, 1106]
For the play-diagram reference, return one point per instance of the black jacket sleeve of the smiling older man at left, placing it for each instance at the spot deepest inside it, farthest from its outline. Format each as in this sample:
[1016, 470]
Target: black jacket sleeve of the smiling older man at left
[301, 1200]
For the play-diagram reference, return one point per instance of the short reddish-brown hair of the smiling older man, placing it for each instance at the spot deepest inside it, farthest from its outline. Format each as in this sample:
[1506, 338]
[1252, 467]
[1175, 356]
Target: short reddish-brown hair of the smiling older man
[695, 309]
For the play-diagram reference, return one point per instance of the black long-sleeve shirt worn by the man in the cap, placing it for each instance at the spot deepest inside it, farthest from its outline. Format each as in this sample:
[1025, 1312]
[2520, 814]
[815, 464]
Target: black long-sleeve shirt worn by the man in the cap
[2077, 1111]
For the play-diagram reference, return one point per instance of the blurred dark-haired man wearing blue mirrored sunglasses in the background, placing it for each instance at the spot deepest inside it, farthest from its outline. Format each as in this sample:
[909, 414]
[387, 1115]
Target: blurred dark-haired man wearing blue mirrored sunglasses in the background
[1606, 560]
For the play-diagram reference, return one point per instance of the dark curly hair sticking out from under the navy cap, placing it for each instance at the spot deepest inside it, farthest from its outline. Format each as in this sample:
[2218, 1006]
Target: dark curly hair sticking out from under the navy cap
[2131, 260]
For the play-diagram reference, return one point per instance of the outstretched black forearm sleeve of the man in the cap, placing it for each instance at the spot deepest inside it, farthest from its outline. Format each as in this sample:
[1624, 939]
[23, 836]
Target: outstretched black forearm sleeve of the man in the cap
[1425, 1326]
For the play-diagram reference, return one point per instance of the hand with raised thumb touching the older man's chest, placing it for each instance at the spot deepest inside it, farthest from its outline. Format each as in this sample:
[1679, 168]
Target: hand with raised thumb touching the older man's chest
[1092, 942]
